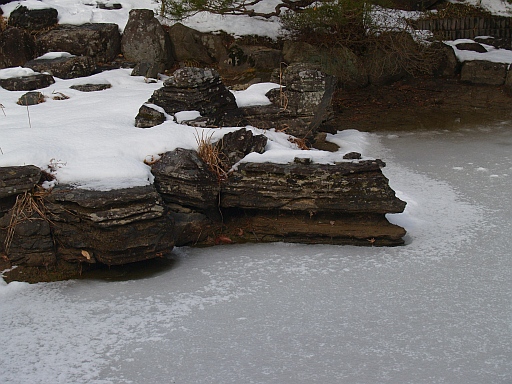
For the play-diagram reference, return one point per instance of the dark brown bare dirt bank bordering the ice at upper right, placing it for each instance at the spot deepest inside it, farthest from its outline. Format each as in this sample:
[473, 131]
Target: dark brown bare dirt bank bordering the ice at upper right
[424, 104]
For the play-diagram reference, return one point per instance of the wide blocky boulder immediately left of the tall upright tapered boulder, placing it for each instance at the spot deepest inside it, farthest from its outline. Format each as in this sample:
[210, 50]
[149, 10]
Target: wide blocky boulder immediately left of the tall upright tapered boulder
[103, 41]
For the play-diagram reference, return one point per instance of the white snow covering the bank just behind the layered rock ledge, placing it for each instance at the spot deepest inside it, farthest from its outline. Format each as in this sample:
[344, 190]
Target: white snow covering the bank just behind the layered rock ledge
[90, 140]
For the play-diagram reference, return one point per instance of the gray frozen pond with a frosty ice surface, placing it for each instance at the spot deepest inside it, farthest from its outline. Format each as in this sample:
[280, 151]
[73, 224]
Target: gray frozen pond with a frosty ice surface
[437, 310]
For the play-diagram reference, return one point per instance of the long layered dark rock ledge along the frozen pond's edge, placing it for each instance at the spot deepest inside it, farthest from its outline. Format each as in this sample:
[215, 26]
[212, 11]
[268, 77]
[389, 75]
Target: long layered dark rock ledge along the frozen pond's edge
[191, 204]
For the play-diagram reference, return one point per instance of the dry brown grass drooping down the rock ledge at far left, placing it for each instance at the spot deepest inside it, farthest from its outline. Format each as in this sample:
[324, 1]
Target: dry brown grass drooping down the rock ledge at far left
[28, 205]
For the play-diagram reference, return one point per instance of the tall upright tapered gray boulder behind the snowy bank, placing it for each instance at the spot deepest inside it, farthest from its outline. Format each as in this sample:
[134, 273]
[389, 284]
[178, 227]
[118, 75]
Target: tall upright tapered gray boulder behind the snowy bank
[145, 40]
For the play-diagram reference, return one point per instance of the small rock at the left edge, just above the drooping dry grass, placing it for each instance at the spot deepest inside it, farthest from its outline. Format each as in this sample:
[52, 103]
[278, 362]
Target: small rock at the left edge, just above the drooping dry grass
[17, 180]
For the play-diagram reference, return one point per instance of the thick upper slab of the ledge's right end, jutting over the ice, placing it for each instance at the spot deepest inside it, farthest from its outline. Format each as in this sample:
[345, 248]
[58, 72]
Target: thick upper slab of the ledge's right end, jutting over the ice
[352, 187]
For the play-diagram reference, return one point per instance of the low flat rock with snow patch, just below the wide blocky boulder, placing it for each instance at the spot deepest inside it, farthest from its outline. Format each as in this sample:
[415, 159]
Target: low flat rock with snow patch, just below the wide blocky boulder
[64, 67]
